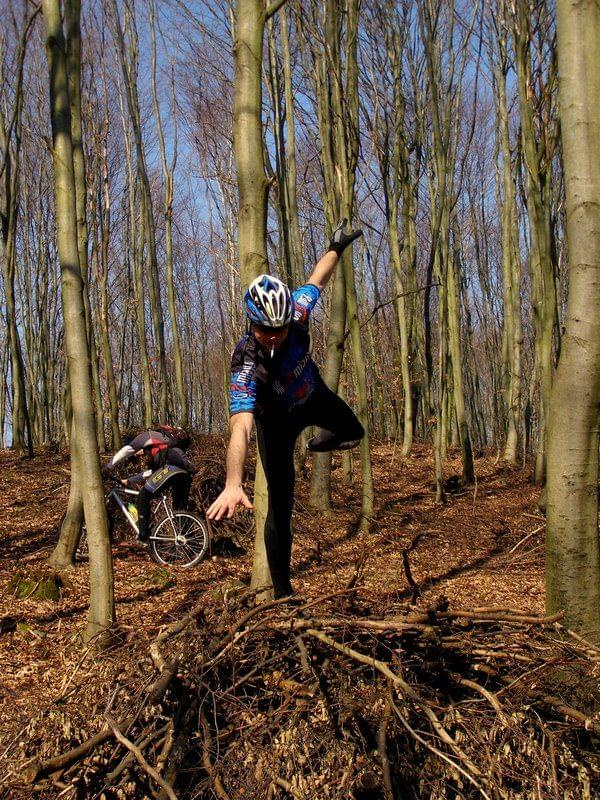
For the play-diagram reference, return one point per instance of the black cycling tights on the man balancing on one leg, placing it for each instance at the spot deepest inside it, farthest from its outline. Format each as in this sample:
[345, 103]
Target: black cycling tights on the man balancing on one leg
[277, 434]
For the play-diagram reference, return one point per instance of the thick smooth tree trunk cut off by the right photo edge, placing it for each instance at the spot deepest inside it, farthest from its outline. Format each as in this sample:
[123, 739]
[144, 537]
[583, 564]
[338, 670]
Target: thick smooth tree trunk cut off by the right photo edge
[573, 552]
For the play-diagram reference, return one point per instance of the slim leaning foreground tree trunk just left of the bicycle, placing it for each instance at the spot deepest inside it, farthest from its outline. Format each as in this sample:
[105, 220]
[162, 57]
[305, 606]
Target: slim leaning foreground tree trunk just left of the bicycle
[102, 610]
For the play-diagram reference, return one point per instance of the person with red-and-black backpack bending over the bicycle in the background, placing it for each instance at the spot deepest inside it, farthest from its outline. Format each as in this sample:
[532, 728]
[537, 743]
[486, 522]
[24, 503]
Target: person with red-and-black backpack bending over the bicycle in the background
[168, 468]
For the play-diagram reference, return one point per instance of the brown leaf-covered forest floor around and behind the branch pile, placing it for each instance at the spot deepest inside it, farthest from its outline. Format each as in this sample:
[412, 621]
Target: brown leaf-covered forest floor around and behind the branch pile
[483, 548]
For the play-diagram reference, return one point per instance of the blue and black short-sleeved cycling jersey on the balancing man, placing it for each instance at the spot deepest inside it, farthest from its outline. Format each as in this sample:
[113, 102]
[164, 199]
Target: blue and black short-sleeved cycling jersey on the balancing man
[260, 383]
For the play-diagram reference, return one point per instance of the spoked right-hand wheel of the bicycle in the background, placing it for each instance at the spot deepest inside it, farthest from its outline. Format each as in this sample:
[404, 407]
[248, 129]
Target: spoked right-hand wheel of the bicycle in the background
[181, 539]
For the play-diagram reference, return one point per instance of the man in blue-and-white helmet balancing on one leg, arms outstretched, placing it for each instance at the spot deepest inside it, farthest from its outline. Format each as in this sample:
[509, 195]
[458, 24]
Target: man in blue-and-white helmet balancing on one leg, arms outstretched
[275, 383]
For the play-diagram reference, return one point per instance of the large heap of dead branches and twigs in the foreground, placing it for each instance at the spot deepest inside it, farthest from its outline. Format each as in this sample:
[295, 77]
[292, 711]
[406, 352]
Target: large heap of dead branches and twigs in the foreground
[327, 699]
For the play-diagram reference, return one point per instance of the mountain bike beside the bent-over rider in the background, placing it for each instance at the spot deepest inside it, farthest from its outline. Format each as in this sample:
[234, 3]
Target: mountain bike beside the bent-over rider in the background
[176, 538]
